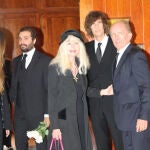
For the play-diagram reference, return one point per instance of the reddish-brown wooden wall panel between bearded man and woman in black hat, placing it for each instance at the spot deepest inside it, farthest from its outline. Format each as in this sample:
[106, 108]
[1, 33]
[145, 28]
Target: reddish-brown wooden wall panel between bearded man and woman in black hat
[53, 27]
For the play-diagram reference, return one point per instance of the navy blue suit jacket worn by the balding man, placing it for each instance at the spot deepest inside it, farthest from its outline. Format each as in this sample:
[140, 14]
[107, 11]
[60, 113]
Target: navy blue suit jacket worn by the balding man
[132, 89]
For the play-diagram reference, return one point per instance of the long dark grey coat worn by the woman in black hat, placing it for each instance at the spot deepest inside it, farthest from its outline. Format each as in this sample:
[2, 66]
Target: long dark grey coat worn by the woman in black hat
[62, 97]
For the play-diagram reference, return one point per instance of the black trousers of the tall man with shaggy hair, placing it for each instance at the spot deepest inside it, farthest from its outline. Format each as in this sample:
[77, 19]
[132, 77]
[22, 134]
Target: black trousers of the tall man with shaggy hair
[104, 128]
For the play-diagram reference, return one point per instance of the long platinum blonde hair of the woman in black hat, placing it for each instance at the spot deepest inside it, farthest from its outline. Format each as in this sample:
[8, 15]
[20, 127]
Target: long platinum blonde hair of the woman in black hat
[62, 59]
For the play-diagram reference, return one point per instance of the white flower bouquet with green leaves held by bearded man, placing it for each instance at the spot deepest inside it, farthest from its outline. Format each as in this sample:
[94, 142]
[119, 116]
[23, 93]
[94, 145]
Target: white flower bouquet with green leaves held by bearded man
[39, 133]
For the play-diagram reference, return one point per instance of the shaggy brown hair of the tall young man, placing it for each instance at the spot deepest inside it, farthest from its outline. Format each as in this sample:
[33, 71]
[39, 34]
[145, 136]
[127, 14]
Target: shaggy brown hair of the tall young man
[92, 17]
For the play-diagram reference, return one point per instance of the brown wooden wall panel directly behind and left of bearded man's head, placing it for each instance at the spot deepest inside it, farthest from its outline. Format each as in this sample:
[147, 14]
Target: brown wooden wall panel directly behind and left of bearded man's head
[12, 24]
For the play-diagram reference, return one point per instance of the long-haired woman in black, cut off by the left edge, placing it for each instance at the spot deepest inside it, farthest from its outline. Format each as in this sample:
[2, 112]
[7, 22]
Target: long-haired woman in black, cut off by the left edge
[4, 107]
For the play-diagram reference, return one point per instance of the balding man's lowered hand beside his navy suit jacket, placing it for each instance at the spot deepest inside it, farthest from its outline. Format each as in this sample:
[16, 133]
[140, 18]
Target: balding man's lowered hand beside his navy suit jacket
[141, 125]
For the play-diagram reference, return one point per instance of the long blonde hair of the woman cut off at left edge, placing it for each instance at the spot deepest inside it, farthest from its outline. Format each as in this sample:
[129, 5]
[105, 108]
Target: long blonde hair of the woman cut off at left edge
[2, 50]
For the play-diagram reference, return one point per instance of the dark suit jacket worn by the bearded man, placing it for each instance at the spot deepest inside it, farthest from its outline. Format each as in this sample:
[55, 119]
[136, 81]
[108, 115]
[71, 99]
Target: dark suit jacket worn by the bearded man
[34, 89]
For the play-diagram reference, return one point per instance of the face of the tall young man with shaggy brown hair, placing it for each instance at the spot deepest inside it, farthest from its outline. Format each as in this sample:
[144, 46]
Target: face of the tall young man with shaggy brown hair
[98, 28]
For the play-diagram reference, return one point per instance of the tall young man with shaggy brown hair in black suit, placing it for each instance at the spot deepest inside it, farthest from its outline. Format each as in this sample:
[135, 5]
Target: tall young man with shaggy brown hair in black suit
[100, 82]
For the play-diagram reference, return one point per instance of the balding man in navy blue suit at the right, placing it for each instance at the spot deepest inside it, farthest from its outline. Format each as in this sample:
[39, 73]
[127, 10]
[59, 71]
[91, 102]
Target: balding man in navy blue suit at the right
[131, 82]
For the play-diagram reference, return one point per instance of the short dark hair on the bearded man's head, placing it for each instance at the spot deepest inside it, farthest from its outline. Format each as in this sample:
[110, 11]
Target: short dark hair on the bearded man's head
[32, 30]
